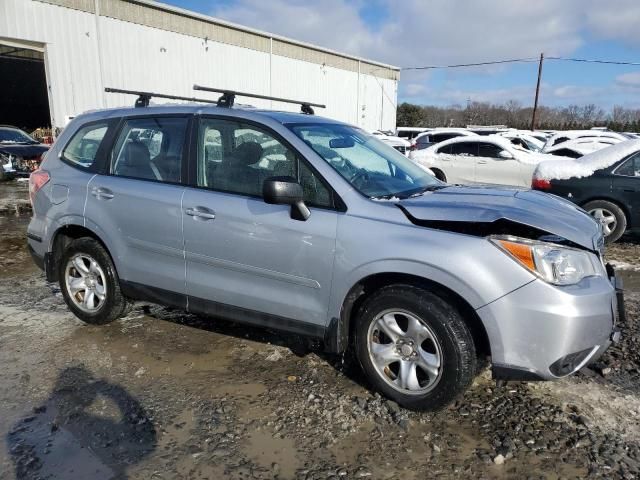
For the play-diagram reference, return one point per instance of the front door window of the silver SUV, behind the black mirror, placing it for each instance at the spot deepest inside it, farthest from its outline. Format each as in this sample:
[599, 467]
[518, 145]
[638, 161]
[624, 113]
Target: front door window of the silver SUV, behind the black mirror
[236, 157]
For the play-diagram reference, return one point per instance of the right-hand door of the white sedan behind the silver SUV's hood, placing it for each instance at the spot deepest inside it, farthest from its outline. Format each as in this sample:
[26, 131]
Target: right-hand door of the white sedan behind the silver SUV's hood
[493, 169]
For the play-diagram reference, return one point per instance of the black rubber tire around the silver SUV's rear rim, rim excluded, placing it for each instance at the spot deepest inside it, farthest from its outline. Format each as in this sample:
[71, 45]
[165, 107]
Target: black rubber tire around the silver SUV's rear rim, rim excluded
[115, 304]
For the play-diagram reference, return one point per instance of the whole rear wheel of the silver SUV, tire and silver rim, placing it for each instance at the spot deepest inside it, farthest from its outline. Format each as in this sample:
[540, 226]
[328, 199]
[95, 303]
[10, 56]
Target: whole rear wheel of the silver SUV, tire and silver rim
[89, 282]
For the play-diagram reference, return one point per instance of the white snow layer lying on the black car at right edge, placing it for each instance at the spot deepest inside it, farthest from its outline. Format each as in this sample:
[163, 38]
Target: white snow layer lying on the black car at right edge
[587, 165]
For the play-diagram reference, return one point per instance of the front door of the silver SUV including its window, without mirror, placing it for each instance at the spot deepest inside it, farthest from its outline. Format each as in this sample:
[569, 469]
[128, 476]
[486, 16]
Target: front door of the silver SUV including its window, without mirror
[244, 253]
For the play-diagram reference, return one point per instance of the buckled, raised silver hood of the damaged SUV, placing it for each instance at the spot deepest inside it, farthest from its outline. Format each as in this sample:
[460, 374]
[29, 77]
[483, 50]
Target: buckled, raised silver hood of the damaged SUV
[487, 204]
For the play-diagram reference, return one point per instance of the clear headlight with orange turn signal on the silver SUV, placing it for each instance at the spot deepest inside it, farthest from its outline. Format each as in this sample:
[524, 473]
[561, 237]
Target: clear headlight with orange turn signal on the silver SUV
[555, 264]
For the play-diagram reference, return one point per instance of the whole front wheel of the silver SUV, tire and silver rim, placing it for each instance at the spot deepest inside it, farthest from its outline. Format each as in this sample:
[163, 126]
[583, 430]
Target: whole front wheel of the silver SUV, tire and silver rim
[414, 347]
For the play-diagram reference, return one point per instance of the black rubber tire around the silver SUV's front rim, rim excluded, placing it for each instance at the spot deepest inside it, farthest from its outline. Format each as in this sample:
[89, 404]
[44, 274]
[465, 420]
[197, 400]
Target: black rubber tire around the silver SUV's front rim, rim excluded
[459, 359]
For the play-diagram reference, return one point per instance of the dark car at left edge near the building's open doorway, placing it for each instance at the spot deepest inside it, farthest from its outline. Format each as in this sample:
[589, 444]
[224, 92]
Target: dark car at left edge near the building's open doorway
[20, 154]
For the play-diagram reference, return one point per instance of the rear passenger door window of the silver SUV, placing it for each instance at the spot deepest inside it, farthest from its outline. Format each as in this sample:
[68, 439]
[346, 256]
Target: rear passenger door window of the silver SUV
[150, 149]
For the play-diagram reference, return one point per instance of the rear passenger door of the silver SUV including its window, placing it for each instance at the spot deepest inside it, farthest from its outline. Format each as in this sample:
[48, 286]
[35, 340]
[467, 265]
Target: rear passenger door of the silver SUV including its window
[136, 201]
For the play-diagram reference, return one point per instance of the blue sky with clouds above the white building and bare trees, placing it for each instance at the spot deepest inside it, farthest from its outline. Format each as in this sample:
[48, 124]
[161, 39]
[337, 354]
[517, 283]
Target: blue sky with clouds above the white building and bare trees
[413, 33]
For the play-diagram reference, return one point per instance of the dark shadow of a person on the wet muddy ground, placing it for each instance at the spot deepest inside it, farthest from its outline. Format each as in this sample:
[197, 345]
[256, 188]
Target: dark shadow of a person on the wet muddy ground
[65, 437]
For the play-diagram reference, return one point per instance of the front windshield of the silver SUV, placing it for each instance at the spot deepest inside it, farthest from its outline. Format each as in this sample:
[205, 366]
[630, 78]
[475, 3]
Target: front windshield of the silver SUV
[372, 167]
